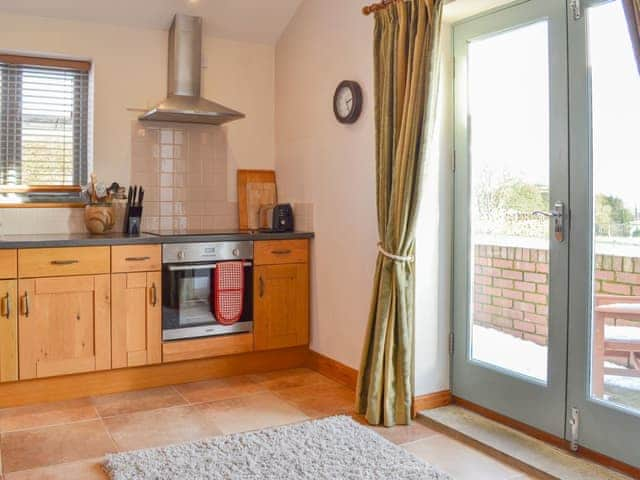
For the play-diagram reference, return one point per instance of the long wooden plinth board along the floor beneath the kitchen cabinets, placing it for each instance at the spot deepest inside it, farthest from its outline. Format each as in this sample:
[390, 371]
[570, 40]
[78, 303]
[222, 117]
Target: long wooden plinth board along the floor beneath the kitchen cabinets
[126, 379]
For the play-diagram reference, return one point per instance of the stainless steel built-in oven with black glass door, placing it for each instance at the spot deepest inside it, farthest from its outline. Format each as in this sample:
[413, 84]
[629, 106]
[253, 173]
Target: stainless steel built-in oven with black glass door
[188, 289]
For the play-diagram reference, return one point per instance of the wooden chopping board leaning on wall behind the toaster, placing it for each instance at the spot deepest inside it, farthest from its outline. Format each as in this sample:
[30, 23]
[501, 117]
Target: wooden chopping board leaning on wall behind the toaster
[255, 188]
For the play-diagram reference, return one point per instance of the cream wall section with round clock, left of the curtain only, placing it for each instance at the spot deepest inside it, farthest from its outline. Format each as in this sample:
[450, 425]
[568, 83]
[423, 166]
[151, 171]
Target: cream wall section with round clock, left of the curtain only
[331, 165]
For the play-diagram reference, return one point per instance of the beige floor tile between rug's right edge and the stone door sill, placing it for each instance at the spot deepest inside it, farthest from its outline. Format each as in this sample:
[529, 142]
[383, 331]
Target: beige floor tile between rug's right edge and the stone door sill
[459, 460]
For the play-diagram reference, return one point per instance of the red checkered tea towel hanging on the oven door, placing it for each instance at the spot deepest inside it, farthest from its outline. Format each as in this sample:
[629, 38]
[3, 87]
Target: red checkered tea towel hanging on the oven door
[229, 291]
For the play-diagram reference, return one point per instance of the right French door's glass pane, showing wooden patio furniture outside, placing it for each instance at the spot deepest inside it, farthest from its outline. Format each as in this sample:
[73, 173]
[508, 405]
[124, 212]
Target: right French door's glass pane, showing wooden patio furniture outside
[615, 105]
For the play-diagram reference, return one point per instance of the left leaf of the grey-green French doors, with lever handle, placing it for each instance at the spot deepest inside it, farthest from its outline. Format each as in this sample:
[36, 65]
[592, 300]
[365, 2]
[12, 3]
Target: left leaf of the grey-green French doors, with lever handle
[511, 270]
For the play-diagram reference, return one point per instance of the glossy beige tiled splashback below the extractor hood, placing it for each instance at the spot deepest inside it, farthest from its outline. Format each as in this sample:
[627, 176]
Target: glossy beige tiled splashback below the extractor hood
[184, 173]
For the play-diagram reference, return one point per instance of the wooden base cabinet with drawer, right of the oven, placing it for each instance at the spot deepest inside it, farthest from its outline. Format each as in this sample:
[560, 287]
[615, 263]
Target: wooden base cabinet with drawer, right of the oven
[281, 294]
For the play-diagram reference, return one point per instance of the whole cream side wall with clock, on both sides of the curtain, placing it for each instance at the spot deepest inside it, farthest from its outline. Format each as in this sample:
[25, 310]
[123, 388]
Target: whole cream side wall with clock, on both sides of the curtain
[332, 166]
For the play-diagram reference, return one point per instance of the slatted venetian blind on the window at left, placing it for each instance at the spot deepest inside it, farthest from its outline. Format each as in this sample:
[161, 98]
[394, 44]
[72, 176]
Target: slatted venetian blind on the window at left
[43, 124]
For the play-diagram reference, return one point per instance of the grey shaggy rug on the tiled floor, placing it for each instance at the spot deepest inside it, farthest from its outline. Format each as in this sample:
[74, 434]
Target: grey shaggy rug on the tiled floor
[332, 448]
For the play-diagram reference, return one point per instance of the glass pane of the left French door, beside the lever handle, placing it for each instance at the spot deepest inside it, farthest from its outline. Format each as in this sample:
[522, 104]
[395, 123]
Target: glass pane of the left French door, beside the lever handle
[509, 157]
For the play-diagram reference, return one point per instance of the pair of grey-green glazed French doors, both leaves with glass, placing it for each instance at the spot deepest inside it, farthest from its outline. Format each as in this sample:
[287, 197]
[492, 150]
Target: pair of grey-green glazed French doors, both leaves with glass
[547, 220]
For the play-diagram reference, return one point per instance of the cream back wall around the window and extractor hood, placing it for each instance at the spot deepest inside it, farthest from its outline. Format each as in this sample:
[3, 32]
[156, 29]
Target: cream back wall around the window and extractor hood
[130, 70]
